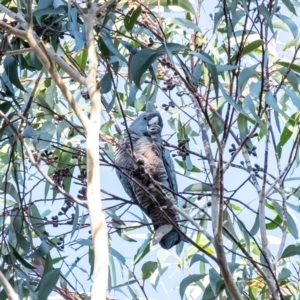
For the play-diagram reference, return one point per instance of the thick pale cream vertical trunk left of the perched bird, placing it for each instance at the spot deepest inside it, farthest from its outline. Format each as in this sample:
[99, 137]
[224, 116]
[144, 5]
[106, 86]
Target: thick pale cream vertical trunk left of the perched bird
[98, 224]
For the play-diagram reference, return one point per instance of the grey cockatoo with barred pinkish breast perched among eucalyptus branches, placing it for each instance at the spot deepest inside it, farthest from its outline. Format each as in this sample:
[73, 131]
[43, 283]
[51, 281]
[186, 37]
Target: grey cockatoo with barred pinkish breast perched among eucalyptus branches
[150, 158]
